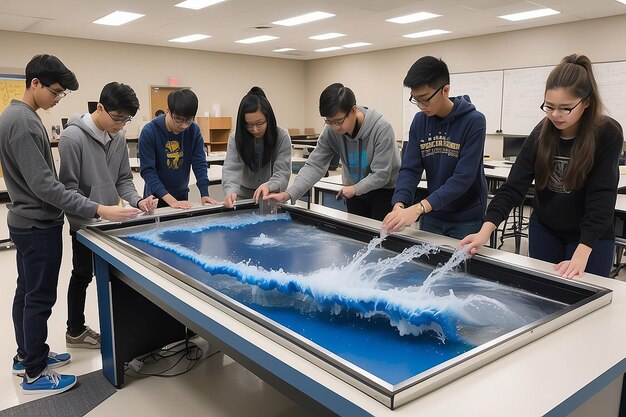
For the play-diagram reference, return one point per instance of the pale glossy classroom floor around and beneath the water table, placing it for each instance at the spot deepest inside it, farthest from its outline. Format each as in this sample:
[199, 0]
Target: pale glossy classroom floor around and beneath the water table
[215, 387]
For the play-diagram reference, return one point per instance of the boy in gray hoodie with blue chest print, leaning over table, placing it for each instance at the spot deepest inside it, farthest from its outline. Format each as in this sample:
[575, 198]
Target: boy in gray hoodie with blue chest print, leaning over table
[369, 155]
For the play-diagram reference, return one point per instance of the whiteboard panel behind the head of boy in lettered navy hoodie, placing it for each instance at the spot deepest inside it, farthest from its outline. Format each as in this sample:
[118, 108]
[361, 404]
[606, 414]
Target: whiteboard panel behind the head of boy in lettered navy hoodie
[484, 89]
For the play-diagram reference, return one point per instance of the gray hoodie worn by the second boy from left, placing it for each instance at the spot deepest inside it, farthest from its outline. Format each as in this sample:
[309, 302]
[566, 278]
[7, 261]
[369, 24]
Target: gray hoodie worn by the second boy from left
[97, 167]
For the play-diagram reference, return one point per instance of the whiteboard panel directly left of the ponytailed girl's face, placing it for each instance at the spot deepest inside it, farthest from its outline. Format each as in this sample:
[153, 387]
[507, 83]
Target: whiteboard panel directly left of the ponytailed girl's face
[523, 94]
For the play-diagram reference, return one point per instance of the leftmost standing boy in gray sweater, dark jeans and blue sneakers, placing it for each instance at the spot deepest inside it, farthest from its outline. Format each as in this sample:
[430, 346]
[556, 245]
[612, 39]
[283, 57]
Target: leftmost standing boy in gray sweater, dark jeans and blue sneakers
[35, 221]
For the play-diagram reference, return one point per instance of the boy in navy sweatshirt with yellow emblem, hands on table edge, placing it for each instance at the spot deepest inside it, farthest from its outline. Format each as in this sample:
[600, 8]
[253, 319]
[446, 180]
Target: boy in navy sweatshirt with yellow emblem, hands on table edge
[169, 147]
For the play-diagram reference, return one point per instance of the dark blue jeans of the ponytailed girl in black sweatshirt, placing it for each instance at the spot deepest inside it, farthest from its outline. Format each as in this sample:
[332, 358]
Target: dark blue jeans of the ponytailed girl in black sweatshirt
[544, 245]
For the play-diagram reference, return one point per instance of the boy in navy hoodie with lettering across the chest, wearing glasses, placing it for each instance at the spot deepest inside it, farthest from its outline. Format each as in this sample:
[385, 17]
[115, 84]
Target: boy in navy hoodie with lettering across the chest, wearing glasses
[447, 140]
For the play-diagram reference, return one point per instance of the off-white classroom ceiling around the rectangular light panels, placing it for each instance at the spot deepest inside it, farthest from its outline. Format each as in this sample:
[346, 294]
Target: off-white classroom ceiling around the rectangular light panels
[360, 20]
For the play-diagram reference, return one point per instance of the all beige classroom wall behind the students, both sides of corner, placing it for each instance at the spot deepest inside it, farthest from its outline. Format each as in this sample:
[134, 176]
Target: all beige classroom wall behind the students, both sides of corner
[293, 87]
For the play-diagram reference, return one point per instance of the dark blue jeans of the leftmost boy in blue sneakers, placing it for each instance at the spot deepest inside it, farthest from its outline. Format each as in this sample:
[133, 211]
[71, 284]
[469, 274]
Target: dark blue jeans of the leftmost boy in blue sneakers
[38, 257]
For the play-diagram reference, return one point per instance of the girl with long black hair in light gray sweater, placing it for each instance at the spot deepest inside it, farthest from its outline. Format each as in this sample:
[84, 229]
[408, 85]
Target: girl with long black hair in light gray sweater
[258, 156]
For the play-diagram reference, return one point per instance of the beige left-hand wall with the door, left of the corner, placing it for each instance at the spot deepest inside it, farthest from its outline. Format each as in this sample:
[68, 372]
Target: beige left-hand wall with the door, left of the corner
[214, 77]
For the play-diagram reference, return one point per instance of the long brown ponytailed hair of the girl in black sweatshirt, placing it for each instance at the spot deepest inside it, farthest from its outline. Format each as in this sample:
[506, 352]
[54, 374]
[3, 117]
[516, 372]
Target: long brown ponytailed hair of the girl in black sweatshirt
[575, 75]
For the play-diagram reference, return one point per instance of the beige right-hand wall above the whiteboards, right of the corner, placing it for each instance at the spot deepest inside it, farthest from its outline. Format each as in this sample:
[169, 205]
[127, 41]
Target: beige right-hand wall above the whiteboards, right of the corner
[376, 77]
